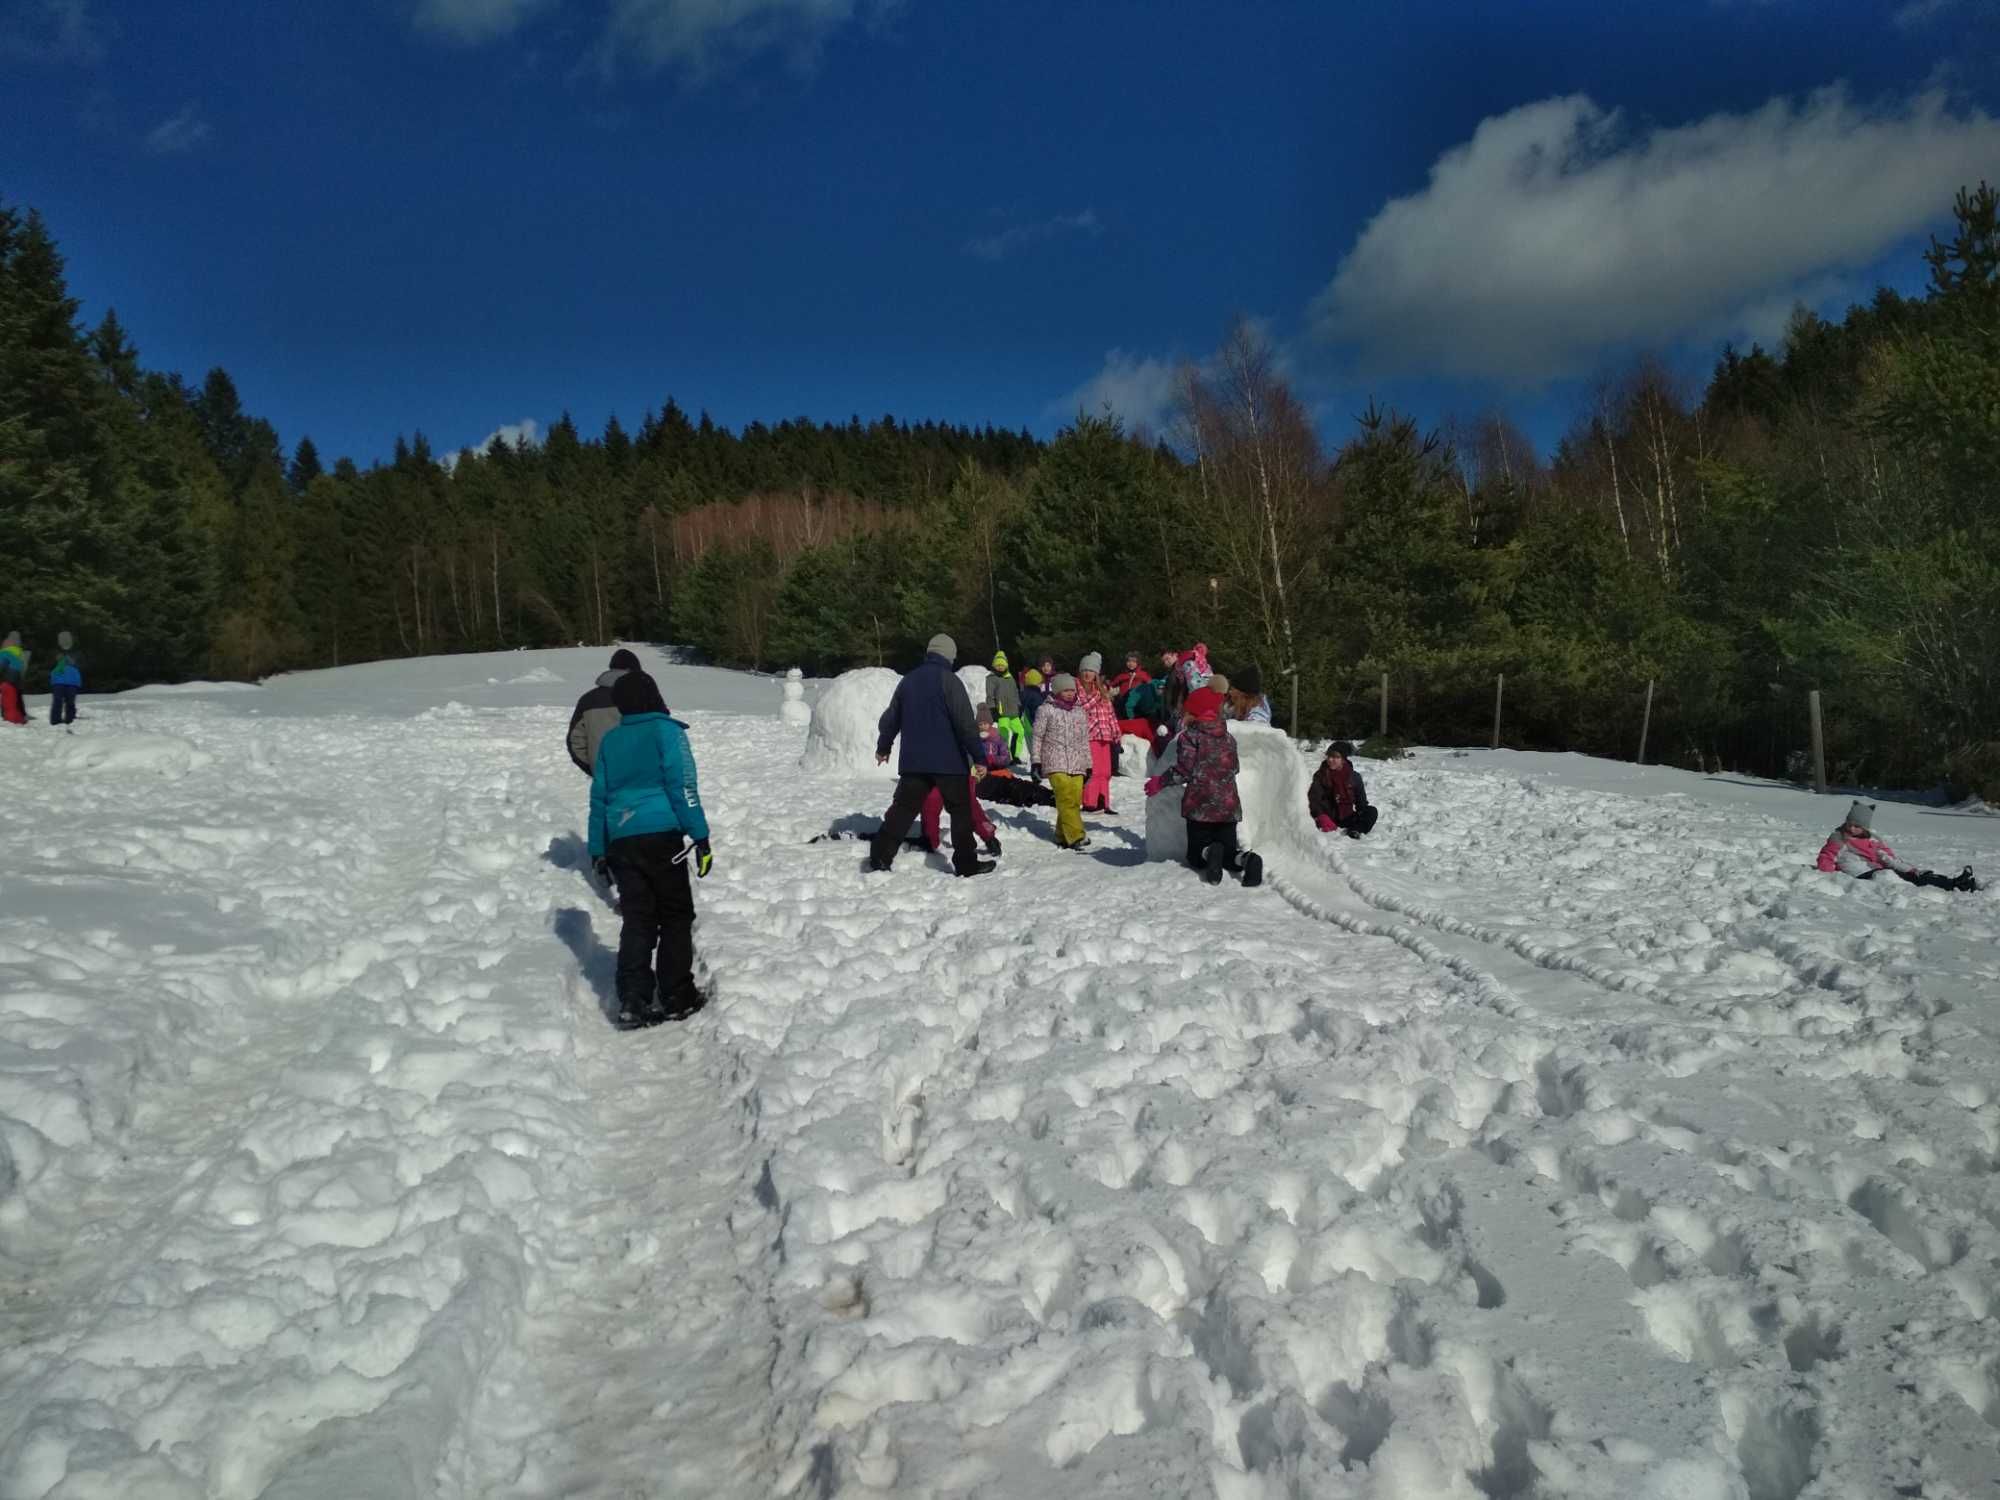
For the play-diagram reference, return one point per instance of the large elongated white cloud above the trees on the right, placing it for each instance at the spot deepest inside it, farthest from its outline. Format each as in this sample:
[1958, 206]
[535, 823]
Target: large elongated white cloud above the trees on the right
[1557, 235]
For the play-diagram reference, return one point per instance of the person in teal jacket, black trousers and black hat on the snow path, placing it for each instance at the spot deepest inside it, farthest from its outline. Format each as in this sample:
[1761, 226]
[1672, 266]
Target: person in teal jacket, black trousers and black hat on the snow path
[649, 827]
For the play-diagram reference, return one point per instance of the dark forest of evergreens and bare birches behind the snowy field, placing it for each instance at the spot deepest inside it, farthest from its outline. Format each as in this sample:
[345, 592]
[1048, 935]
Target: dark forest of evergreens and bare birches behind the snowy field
[1815, 517]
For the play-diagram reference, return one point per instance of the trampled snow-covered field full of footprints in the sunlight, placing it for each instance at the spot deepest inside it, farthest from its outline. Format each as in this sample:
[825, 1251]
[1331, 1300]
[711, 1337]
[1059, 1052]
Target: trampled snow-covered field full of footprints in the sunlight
[1569, 1137]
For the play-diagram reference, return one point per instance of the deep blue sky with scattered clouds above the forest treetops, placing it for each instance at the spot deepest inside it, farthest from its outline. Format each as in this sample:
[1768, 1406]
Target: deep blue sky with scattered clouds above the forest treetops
[463, 215]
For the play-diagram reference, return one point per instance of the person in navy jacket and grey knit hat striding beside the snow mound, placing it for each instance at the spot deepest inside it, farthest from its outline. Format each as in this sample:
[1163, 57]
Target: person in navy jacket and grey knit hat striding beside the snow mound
[941, 745]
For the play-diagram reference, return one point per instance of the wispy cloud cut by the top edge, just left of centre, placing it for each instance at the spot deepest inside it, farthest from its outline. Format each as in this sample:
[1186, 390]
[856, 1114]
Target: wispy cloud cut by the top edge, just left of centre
[703, 35]
